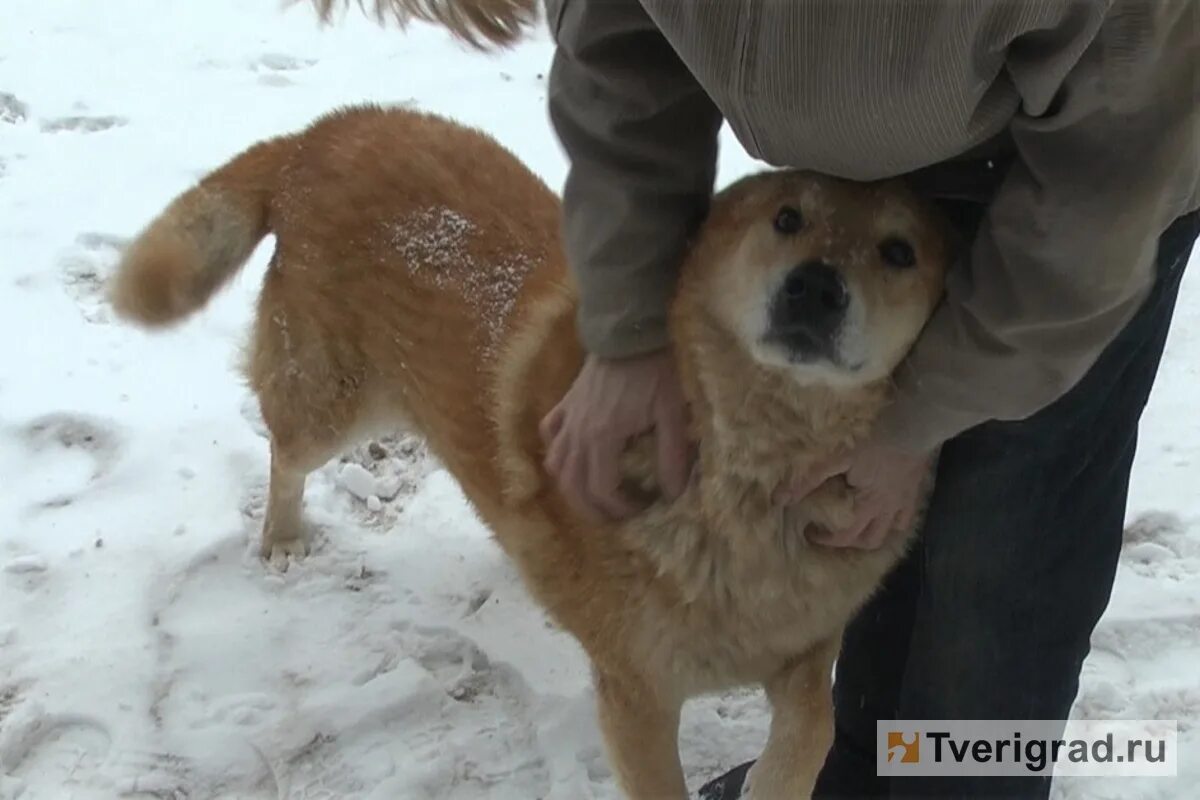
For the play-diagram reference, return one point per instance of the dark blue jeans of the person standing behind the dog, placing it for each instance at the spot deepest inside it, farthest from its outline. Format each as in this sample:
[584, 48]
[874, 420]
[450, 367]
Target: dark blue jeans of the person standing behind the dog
[991, 615]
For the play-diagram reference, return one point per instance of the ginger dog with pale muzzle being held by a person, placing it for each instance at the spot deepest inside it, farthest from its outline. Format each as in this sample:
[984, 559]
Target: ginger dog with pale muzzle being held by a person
[424, 286]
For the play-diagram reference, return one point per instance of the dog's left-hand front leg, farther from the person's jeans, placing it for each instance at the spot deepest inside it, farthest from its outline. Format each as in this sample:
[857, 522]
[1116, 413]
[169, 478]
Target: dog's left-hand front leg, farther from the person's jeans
[641, 732]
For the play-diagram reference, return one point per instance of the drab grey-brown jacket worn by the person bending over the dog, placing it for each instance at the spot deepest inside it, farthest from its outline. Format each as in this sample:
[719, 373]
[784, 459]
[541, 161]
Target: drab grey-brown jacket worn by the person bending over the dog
[1094, 104]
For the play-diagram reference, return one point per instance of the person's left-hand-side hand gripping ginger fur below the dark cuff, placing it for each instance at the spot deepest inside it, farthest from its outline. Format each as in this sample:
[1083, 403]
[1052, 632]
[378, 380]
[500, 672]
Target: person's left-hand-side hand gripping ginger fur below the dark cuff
[611, 402]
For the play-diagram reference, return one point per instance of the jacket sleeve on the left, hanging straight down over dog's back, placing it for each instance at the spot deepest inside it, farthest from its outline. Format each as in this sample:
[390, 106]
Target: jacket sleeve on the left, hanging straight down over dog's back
[641, 139]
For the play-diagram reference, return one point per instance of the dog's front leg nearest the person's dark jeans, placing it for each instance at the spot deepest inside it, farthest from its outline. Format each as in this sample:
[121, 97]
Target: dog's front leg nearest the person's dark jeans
[801, 727]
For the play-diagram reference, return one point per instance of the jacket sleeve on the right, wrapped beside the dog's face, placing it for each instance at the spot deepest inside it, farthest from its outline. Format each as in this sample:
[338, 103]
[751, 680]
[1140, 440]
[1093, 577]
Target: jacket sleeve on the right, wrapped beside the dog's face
[1106, 159]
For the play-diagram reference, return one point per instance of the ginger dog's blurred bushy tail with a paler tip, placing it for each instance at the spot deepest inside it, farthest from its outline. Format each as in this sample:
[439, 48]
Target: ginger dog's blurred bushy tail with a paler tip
[206, 236]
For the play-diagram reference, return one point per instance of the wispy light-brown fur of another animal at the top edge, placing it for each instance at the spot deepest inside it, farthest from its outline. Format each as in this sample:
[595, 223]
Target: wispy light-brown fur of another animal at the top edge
[481, 23]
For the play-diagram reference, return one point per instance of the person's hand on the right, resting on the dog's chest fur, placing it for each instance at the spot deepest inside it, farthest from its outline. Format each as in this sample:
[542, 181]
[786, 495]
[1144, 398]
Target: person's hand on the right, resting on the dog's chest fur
[887, 484]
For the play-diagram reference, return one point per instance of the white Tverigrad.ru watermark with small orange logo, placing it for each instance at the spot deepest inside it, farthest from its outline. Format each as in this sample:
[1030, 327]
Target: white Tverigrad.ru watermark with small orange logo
[1085, 748]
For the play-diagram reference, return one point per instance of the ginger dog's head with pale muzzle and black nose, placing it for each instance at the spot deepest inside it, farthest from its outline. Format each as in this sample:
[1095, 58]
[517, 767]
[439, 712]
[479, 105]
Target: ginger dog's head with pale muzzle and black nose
[827, 280]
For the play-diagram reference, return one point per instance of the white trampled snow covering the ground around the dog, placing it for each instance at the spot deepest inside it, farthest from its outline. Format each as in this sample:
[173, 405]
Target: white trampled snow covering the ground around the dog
[145, 652]
